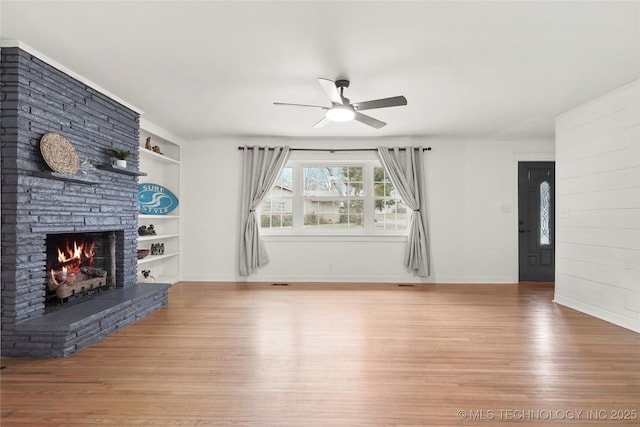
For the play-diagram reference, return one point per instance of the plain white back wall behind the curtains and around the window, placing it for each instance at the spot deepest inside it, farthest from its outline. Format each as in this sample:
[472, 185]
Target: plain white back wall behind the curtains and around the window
[471, 189]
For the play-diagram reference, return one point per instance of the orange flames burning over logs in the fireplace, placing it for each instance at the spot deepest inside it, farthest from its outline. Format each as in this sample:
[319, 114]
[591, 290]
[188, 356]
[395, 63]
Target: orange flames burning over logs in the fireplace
[70, 259]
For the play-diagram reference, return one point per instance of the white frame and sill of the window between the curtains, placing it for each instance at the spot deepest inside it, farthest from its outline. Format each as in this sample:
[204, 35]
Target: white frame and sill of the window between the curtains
[300, 160]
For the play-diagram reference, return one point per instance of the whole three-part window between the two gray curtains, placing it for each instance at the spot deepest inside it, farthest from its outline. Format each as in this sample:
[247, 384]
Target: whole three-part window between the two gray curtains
[333, 197]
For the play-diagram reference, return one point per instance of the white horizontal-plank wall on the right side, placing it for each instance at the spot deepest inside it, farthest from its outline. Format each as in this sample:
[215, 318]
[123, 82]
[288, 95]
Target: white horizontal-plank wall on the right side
[598, 207]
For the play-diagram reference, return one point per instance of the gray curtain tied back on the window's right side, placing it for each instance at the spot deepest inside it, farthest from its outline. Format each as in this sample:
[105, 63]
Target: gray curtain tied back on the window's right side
[405, 167]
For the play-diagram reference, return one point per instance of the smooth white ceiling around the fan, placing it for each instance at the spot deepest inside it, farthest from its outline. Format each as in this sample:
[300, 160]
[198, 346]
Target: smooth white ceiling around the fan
[211, 68]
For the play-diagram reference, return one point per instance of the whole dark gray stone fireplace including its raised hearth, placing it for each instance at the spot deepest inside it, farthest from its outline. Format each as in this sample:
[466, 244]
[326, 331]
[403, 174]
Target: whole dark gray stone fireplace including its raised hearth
[39, 207]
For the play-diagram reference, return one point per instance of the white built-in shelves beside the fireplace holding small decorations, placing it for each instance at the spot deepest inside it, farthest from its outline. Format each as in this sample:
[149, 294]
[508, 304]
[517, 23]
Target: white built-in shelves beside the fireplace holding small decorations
[162, 169]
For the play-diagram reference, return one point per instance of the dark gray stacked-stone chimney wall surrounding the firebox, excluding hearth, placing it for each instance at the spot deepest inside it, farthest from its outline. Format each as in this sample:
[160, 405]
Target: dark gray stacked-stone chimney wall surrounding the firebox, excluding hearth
[36, 98]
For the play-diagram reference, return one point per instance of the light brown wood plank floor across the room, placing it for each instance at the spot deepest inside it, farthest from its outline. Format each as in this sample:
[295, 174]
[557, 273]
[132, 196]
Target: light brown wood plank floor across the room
[340, 355]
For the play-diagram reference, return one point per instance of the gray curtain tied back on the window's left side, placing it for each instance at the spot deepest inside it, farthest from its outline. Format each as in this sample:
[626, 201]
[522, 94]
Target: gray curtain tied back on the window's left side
[261, 167]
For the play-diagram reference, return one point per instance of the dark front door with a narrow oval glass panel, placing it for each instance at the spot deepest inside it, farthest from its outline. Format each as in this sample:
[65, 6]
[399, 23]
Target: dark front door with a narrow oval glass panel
[536, 208]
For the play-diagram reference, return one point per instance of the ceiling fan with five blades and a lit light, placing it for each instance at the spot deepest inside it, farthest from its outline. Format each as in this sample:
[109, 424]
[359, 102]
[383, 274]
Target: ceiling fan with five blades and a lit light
[343, 110]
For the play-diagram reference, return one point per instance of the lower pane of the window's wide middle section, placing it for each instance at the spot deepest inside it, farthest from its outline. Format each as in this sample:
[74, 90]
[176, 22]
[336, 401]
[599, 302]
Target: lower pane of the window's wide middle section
[333, 214]
